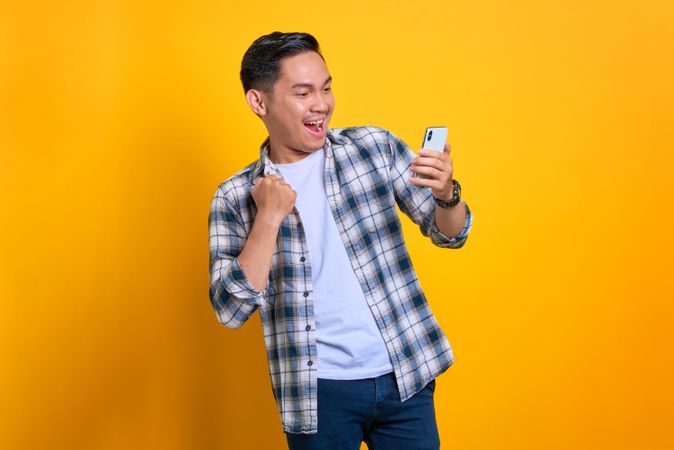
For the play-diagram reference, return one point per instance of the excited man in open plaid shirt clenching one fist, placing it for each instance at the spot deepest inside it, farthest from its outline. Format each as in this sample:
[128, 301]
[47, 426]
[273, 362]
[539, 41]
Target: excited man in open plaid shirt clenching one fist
[309, 235]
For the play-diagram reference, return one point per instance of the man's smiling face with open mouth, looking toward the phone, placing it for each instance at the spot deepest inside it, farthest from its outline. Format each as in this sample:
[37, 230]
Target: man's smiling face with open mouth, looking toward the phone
[300, 108]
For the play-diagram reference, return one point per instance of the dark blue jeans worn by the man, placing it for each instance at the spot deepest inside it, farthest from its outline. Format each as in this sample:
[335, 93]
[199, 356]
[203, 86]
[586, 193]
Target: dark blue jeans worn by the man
[352, 411]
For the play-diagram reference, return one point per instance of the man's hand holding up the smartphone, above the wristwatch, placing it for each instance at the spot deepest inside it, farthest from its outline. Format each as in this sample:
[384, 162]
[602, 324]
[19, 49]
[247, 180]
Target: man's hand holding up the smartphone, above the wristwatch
[437, 167]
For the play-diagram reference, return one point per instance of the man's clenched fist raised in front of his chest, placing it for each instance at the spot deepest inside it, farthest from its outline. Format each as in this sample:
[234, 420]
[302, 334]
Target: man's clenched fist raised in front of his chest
[274, 198]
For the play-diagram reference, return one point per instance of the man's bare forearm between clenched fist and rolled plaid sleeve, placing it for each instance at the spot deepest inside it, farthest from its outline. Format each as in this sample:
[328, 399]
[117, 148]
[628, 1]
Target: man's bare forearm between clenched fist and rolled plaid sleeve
[256, 254]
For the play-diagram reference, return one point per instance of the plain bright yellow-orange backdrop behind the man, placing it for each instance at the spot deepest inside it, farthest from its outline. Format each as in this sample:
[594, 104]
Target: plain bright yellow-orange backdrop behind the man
[118, 120]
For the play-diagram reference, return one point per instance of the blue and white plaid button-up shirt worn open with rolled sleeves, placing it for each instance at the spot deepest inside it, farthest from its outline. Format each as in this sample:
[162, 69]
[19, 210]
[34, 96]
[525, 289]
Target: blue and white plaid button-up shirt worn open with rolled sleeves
[366, 175]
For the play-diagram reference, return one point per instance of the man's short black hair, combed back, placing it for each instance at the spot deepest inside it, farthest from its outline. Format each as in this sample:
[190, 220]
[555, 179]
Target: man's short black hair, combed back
[261, 64]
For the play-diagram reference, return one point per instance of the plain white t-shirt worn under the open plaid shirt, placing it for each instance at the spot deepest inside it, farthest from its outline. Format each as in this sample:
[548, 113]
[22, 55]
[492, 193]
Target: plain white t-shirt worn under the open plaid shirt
[349, 343]
